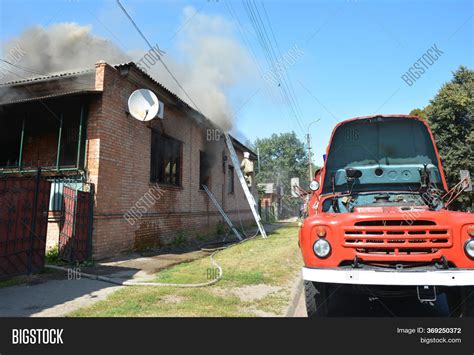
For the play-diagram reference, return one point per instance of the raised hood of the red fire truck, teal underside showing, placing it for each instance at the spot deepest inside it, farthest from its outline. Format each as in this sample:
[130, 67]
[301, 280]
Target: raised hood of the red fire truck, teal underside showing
[389, 152]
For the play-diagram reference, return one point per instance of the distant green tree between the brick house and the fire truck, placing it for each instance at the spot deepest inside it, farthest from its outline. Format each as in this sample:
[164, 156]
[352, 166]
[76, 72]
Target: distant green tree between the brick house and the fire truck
[282, 156]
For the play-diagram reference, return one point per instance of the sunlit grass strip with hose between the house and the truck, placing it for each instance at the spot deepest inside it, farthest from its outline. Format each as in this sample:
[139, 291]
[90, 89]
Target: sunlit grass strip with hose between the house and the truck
[274, 262]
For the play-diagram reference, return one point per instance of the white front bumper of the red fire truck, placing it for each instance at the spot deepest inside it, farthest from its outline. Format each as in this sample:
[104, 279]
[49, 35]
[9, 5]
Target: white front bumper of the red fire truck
[376, 276]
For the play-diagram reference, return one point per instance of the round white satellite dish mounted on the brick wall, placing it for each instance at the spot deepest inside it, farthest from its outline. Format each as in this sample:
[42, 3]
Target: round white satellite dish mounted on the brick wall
[144, 105]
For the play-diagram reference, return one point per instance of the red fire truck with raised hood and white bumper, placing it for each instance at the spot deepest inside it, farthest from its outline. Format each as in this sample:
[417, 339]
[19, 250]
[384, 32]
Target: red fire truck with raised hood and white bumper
[379, 220]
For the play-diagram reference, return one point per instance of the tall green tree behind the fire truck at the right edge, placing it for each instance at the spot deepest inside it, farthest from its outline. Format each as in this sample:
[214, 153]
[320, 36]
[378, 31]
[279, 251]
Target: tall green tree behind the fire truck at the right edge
[450, 117]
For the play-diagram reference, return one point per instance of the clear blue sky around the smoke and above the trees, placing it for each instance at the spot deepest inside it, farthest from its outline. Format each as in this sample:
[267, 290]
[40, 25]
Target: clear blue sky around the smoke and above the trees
[350, 55]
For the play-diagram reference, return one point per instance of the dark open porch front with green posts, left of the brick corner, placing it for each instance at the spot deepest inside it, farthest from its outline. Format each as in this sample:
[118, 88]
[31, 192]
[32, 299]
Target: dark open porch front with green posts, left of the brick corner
[49, 134]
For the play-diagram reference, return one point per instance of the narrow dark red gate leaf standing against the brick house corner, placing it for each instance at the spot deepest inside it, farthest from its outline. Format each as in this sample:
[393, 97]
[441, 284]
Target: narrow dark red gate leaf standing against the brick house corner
[75, 232]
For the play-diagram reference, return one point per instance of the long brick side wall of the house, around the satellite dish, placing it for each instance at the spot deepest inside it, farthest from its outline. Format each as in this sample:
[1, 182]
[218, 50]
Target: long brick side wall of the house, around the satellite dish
[118, 162]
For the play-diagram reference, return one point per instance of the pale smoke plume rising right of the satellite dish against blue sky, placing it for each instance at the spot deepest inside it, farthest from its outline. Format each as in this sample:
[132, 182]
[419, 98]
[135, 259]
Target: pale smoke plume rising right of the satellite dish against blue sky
[212, 62]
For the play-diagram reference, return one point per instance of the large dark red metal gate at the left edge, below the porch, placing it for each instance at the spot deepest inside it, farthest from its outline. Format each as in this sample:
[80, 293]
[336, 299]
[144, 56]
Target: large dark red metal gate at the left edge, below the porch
[23, 224]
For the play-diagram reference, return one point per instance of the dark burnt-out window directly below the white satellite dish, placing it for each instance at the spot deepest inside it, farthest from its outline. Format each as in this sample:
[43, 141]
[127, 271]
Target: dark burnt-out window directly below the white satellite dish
[165, 159]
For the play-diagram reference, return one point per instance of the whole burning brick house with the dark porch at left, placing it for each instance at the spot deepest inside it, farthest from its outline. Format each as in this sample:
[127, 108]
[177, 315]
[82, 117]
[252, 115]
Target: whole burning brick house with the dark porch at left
[77, 128]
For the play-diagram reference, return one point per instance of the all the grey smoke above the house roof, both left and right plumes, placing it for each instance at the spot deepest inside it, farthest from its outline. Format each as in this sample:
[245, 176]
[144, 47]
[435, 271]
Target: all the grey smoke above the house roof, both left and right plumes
[210, 60]
